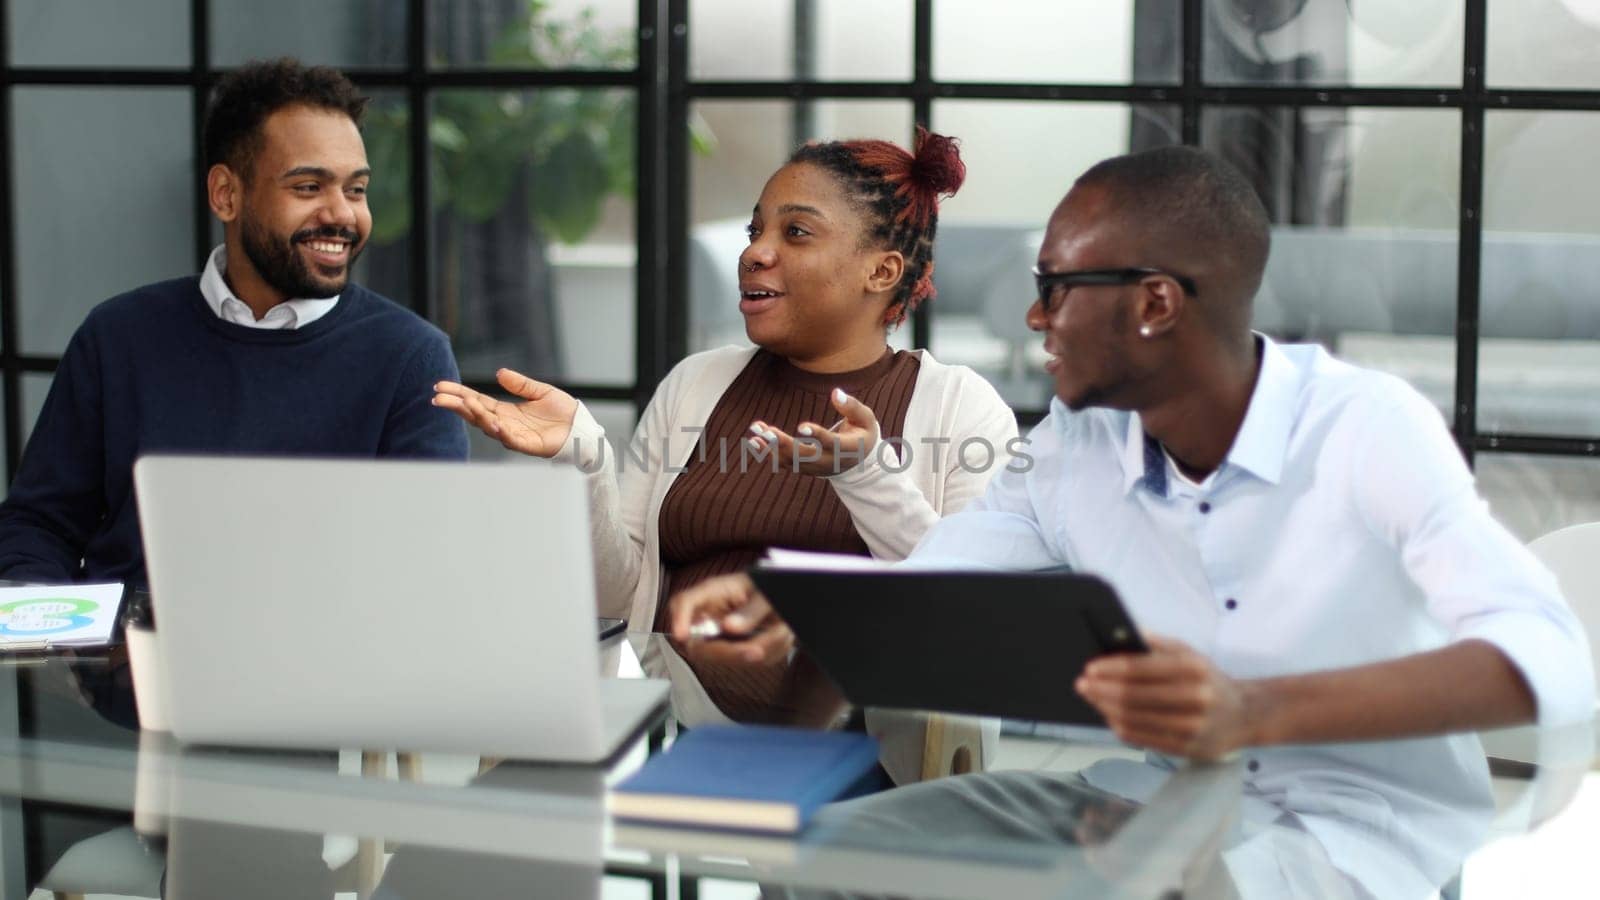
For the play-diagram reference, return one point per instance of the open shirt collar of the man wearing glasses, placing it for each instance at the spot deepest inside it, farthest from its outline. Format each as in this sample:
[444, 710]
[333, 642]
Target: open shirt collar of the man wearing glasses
[1263, 438]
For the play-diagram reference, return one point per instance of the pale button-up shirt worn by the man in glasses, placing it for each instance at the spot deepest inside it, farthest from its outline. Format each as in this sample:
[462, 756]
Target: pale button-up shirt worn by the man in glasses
[1342, 529]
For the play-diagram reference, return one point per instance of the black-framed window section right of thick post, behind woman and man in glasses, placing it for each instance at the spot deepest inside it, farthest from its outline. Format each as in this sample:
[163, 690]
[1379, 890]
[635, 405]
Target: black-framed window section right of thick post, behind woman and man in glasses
[1422, 161]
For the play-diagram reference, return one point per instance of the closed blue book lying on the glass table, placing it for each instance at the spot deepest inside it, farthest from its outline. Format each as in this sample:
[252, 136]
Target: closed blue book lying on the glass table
[746, 777]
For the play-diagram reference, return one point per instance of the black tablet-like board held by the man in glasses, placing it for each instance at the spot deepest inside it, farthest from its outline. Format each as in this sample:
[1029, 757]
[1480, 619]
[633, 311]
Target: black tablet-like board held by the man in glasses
[990, 645]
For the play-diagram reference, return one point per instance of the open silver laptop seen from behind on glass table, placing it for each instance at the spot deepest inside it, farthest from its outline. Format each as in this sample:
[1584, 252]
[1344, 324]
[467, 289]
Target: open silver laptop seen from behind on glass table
[382, 606]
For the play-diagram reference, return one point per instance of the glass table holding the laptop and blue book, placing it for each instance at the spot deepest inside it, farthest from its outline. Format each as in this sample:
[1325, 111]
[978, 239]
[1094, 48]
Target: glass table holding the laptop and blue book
[90, 805]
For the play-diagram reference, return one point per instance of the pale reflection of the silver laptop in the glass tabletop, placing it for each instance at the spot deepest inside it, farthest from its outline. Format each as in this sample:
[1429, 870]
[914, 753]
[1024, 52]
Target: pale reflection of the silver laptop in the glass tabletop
[202, 797]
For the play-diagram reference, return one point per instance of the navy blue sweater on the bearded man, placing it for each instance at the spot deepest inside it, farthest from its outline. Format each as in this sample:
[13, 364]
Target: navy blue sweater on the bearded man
[156, 371]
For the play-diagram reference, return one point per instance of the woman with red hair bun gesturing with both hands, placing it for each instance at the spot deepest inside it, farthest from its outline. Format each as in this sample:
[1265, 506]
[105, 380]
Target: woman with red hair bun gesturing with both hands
[818, 438]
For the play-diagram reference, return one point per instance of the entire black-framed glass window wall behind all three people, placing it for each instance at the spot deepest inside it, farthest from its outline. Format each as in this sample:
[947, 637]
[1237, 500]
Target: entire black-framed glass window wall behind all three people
[562, 185]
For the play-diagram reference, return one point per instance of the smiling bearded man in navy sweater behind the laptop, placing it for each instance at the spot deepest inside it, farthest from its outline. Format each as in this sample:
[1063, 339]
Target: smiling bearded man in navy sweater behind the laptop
[271, 352]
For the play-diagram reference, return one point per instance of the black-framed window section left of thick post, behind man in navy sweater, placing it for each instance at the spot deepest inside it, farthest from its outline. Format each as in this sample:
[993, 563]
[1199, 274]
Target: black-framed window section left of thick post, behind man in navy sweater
[505, 139]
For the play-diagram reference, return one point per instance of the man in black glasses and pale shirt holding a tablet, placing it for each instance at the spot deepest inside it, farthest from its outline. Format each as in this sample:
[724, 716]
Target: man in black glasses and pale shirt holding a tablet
[1300, 539]
